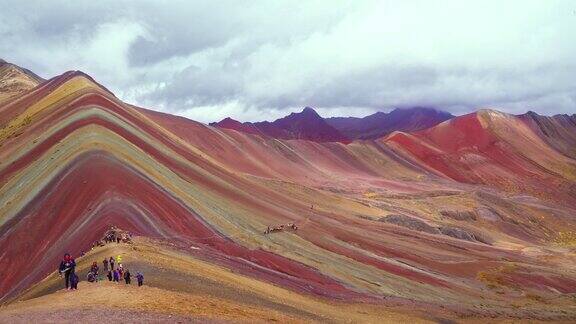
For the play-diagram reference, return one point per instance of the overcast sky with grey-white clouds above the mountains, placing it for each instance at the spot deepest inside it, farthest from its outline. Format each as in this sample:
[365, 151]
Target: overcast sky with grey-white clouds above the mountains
[256, 60]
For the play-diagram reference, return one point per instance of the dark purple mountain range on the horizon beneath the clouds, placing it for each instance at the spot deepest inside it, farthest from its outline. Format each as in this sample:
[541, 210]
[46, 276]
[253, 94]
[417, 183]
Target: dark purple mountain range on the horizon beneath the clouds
[309, 125]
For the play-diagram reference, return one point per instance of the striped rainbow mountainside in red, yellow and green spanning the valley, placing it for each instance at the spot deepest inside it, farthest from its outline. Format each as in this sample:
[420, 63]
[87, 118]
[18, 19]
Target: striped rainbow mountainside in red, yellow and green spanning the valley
[472, 217]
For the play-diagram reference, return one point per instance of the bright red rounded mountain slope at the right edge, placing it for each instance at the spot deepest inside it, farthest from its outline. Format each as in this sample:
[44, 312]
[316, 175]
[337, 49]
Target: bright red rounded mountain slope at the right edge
[490, 147]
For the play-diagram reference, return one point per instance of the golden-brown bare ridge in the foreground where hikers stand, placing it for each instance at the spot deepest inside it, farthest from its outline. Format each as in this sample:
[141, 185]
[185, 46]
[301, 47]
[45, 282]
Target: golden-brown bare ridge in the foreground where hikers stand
[180, 288]
